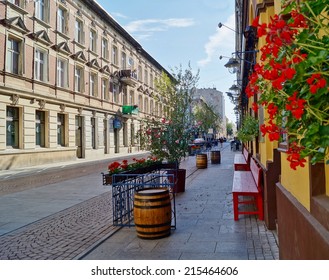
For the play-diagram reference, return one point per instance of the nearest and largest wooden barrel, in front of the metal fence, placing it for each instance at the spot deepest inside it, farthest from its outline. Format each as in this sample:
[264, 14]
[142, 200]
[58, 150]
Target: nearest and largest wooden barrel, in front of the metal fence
[152, 213]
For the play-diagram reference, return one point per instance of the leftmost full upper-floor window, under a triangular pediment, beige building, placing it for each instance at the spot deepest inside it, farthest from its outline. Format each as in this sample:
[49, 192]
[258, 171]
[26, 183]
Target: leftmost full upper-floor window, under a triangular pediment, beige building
[14, 56]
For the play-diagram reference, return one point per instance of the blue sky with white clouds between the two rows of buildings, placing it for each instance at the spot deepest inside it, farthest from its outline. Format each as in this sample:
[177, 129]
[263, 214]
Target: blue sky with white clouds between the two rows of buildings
[176, 32]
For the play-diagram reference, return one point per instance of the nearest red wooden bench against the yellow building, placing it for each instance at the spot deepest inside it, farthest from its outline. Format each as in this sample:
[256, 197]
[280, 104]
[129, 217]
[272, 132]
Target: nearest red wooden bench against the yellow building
[248, 184]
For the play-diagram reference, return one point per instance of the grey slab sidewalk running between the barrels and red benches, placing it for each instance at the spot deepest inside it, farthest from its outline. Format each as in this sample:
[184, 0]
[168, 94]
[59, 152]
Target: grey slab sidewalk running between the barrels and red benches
[205, 226]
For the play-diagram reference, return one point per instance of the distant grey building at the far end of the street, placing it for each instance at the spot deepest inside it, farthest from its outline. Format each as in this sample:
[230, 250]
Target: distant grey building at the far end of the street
[215, 98]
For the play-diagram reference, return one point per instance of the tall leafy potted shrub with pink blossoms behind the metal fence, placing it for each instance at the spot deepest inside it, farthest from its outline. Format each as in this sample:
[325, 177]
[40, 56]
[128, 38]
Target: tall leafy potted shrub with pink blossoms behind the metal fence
[167, 137]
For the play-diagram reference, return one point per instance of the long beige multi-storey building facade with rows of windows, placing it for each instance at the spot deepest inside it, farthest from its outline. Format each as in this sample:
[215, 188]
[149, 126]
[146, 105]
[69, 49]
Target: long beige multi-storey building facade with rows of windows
[73, 83]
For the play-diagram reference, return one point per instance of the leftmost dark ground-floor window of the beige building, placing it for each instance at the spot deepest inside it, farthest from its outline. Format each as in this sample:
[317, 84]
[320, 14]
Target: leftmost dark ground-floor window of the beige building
[12, 127]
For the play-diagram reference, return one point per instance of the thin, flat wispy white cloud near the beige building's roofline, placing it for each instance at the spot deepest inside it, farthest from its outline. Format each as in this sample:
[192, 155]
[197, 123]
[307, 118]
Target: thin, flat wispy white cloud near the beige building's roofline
[155, 25]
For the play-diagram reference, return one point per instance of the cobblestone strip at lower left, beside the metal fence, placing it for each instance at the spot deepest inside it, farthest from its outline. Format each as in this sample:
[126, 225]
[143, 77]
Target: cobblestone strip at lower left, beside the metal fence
[63, 235]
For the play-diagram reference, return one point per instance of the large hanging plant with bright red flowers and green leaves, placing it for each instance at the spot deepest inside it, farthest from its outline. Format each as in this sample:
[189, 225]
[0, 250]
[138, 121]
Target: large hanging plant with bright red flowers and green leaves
[292, 80]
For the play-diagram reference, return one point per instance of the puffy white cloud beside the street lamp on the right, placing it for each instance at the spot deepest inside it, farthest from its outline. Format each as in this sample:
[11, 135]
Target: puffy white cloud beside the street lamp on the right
[222, 40]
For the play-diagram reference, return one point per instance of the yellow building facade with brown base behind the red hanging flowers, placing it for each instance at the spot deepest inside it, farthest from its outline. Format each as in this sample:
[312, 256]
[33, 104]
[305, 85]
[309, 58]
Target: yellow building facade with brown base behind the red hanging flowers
[296, 202]
